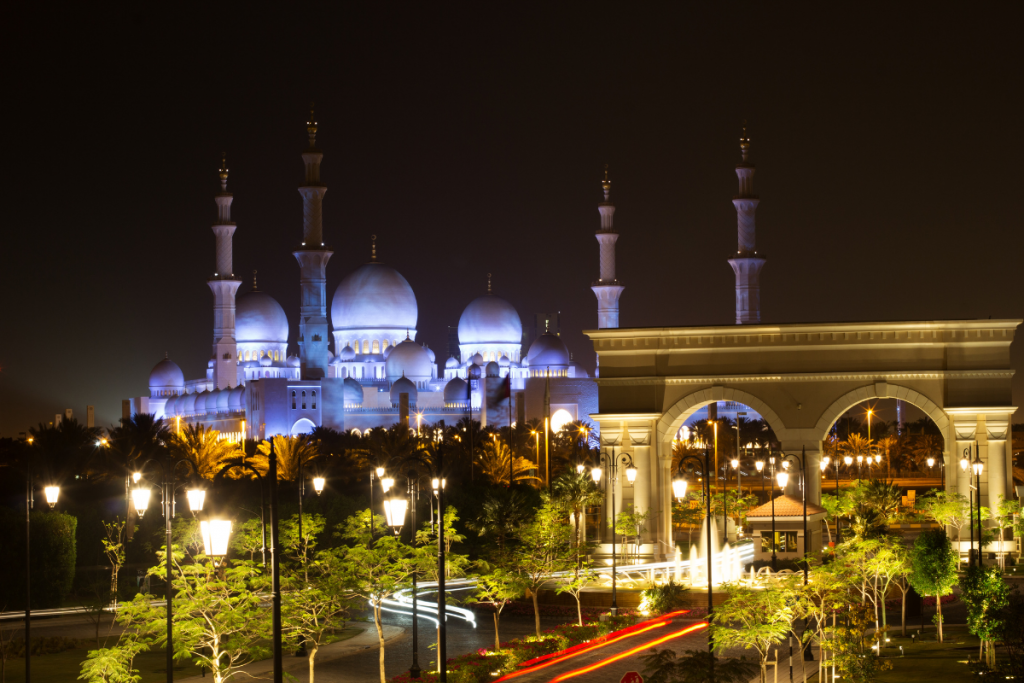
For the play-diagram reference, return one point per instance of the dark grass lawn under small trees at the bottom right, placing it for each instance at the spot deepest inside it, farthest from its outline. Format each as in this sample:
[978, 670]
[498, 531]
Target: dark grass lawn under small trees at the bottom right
[929, 662]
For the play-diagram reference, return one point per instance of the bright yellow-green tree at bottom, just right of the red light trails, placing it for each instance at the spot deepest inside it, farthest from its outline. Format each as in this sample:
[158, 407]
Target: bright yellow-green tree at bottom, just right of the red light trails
[755, 620]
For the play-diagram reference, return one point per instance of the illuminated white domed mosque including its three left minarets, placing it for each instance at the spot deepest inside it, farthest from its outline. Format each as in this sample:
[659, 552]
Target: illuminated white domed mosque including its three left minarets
[377, 369]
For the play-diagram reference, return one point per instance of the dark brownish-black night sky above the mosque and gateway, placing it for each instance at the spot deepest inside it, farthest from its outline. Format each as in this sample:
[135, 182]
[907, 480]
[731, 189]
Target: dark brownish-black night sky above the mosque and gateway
[471, 139]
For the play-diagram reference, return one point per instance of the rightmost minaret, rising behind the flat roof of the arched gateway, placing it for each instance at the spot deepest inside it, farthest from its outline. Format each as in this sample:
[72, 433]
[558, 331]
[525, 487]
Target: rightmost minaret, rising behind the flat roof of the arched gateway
[748, 265]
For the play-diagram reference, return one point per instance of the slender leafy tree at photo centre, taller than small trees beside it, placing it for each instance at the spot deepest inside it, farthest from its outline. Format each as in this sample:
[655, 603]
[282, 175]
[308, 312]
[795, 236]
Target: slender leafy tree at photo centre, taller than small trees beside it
[546, 547]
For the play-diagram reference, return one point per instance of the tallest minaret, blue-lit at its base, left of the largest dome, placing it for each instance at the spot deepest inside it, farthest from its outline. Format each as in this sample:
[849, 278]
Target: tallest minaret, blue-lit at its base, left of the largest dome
[313, 258]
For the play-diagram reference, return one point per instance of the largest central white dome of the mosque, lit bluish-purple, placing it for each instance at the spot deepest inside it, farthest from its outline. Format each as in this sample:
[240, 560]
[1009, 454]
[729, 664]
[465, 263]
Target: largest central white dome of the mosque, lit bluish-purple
[374, 296]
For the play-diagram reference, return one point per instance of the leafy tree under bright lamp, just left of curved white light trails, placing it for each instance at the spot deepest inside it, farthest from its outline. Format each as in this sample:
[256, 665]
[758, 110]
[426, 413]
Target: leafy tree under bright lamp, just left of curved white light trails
[374, 570]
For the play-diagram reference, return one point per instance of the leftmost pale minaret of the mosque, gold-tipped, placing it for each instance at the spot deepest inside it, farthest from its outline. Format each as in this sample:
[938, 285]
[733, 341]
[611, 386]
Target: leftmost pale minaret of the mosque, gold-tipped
[225, 286]
